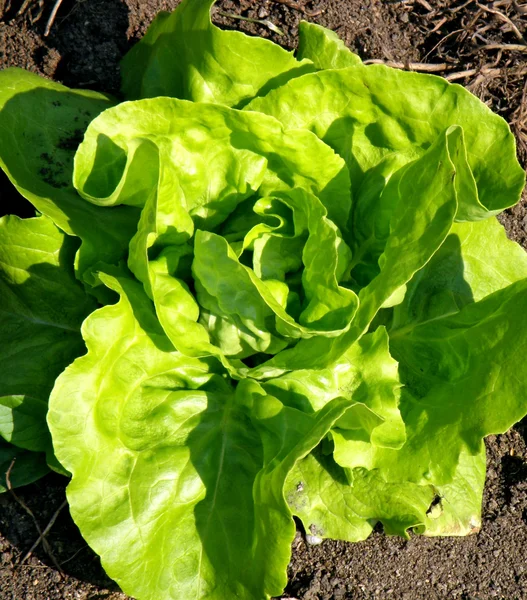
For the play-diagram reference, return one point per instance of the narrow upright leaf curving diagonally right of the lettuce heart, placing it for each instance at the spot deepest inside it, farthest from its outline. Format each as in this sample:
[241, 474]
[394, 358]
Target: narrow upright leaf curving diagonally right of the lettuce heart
[424, 195]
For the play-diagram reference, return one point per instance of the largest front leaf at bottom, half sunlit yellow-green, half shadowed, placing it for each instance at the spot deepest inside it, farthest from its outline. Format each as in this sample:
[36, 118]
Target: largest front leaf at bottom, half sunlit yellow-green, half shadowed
[156, 443]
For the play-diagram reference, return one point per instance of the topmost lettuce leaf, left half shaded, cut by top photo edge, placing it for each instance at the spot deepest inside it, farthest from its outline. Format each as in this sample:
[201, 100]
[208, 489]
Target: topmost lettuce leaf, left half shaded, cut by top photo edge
[184, 56]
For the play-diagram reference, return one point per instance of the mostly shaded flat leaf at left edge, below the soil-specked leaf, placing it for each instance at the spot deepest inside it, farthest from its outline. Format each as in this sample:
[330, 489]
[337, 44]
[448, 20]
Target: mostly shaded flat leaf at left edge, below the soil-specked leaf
[42, 307]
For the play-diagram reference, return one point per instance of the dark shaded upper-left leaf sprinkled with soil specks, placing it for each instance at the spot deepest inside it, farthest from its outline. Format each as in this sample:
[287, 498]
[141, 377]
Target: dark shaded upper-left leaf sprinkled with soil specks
[41, 125]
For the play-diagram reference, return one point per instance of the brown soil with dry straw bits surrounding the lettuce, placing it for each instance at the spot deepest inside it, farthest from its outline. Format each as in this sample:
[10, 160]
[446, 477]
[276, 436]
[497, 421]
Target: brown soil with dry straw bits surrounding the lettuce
[466, 41]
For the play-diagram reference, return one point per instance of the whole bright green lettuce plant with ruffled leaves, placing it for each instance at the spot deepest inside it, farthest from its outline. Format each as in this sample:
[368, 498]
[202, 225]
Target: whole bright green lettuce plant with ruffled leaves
[263, 285]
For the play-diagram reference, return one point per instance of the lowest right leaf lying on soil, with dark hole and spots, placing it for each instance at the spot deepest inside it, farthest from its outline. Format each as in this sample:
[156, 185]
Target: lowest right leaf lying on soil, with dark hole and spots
[345, 504]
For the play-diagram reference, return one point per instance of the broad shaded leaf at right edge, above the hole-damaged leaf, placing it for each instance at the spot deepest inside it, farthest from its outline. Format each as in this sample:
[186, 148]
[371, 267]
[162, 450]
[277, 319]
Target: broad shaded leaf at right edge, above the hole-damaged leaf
[463, 382]
